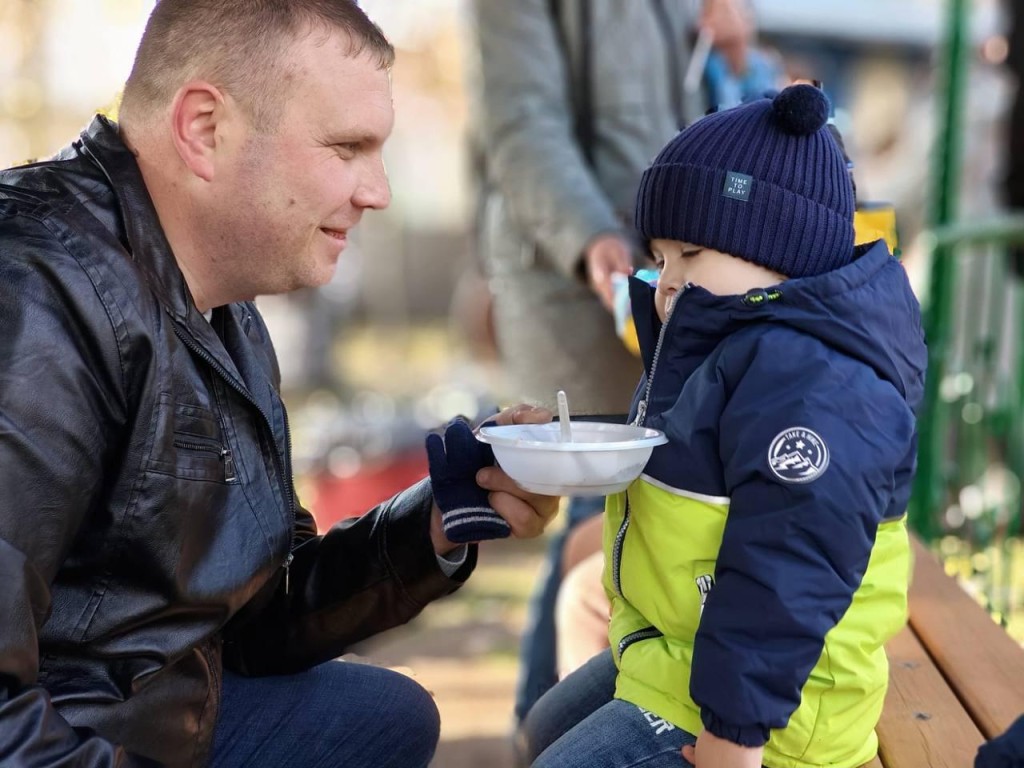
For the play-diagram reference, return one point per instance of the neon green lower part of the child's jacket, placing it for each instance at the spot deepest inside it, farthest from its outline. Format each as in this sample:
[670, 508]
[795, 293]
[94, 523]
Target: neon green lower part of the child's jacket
[663, 574]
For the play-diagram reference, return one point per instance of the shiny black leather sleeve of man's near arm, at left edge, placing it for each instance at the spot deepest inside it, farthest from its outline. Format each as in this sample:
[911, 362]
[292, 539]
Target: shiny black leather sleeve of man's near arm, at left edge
[61, 404]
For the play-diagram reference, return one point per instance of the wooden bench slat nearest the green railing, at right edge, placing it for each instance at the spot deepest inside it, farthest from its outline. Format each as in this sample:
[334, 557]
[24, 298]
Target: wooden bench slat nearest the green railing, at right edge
[982, 662]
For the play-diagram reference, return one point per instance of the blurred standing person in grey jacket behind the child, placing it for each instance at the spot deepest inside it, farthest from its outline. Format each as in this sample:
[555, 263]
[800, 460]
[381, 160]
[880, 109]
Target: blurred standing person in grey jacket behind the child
[574, 99]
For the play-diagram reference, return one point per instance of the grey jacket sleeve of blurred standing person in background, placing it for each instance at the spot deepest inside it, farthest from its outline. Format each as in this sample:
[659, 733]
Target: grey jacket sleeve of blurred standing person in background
[528, 132]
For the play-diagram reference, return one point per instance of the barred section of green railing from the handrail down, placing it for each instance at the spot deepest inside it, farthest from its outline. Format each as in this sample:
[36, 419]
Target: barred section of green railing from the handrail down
[971, 457]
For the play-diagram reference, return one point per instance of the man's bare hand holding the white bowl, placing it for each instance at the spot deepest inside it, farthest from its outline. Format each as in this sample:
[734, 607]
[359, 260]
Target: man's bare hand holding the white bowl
[527, 514]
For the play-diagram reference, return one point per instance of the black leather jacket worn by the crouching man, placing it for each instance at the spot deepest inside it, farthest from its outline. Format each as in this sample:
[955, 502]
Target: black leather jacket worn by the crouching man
[148, 515]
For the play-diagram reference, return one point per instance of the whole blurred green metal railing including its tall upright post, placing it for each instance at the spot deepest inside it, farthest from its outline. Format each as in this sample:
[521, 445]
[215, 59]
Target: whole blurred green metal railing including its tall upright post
[967, 494]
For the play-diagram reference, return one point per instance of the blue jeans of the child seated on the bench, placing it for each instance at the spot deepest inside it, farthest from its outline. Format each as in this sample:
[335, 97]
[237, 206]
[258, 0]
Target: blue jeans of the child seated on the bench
[579, 724]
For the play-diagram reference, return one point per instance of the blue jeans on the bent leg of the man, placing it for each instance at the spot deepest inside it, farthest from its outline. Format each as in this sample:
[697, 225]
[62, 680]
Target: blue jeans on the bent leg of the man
[338, 714]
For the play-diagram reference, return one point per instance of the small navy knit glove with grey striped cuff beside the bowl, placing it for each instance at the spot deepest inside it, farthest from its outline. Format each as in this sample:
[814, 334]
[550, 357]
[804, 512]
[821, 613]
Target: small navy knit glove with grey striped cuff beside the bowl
[454, 461]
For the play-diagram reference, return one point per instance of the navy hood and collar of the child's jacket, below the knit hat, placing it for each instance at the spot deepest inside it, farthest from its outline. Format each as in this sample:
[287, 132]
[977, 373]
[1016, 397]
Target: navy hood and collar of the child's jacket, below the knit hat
[866, 311]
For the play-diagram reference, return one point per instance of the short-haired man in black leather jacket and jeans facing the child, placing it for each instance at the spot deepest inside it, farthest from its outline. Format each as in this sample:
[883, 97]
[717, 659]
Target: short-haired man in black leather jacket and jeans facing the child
[157, 568]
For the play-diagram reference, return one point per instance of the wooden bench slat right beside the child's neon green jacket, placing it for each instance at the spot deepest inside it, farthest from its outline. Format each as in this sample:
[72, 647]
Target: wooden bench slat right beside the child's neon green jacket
[911, 736]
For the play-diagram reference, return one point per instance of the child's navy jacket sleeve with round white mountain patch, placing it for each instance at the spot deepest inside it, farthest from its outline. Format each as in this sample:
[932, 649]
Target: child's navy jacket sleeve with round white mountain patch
[799, 536]
